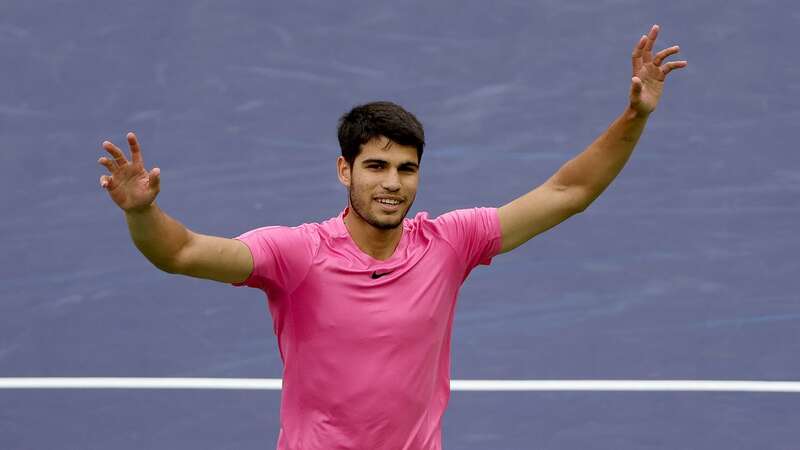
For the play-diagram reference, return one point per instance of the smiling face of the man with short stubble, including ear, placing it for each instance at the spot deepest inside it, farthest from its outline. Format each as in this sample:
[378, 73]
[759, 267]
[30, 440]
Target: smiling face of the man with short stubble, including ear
[383, 170]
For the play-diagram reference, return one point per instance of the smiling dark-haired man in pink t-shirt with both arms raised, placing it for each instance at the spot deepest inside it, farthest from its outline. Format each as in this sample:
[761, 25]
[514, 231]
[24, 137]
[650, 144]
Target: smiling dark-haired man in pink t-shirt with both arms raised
[363, 303]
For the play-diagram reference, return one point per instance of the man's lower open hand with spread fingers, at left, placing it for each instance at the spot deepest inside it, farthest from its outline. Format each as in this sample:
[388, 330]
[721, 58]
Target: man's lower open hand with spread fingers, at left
[129, 185]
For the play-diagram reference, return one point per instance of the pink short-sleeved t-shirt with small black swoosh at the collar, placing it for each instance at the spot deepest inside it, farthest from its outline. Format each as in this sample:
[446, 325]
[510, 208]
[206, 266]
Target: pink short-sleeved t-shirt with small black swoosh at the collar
[366, 343]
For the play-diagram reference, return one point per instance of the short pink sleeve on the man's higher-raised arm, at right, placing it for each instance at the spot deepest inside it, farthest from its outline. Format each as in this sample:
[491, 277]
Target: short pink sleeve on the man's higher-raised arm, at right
[474, 234]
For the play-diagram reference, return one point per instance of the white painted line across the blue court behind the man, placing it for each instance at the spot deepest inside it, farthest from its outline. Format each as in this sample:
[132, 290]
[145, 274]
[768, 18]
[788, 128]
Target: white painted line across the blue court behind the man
[455, 385]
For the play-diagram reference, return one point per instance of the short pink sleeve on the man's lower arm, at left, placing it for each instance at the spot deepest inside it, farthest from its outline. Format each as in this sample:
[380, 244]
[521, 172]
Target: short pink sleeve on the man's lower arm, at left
[282, 256]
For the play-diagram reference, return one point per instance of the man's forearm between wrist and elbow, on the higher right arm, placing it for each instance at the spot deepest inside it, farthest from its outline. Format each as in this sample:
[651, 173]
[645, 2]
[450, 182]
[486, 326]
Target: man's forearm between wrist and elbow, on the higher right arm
[594, 169]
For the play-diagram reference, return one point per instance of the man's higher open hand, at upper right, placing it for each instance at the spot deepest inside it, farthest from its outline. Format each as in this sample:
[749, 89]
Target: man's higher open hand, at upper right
[649, 72]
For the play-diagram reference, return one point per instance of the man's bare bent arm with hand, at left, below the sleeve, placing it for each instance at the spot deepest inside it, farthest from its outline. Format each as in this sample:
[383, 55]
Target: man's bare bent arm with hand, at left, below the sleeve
[164, 241]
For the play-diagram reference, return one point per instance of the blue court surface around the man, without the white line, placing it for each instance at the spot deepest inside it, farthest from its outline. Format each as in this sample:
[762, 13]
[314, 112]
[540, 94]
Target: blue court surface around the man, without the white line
[686, 268]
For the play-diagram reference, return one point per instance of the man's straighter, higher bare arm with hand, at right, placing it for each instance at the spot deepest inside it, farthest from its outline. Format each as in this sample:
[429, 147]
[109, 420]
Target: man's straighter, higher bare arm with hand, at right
[582, 179]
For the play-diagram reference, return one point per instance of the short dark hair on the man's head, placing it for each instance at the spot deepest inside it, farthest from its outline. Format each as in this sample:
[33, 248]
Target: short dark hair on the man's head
[371, 120]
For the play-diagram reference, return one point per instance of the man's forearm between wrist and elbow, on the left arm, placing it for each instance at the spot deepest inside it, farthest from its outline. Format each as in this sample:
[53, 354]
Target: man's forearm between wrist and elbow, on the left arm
[158, 236]
